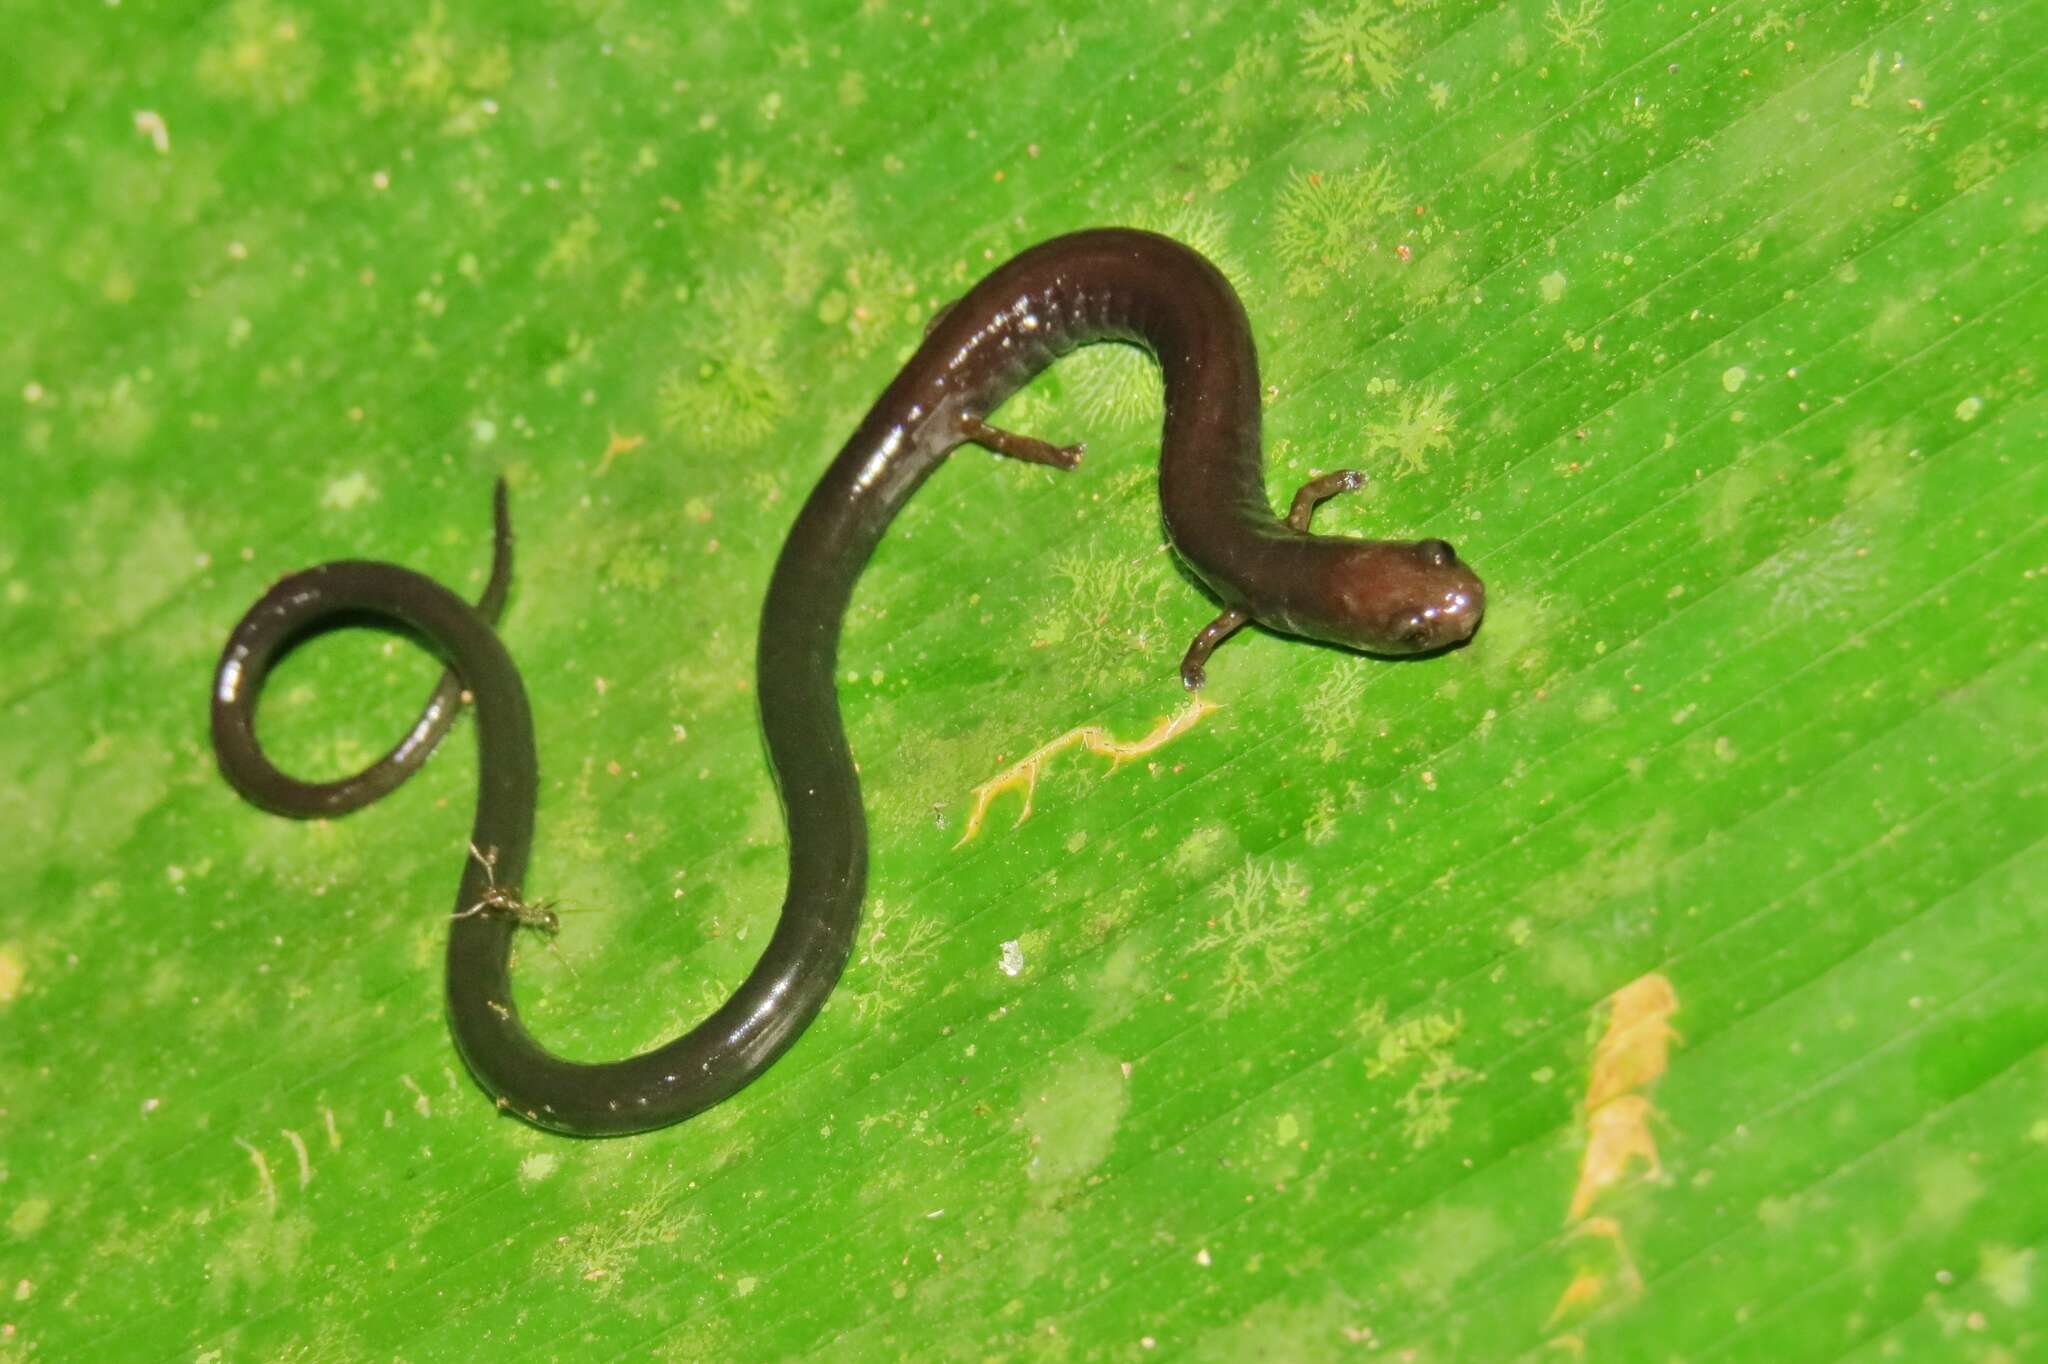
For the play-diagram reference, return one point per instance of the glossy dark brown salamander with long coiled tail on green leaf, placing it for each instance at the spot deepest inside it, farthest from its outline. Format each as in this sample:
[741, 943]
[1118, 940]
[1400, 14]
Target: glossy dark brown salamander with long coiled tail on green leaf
[1381, 597]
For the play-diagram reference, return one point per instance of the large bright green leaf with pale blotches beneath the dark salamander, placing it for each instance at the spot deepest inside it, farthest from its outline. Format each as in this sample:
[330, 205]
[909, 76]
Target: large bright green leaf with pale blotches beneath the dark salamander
[1656, 978]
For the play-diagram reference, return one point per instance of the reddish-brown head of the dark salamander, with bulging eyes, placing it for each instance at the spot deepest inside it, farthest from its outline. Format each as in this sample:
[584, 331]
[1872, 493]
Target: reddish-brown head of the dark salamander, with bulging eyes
[1402, 597]
